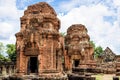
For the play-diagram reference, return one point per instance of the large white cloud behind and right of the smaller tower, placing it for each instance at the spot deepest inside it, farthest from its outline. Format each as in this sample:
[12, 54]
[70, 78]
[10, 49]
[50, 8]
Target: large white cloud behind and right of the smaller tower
[102, 32]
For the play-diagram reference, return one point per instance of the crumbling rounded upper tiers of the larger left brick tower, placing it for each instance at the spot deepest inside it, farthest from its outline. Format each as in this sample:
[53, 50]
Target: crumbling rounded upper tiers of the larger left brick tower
[40, 15]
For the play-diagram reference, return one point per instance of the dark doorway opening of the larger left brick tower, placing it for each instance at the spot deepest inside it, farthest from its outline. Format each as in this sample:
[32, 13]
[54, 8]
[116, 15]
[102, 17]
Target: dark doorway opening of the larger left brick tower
[33, 65]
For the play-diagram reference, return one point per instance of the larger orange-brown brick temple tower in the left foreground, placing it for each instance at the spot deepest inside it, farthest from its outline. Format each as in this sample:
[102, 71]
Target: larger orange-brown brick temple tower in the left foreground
[39, 47]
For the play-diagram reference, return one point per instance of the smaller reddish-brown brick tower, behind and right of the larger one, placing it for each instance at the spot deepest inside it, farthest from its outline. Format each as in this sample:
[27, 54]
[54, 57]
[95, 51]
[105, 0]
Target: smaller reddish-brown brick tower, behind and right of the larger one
[79, 51]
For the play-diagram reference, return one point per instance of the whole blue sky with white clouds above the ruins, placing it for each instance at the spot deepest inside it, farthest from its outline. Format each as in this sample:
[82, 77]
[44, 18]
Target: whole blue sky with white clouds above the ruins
[101, 18]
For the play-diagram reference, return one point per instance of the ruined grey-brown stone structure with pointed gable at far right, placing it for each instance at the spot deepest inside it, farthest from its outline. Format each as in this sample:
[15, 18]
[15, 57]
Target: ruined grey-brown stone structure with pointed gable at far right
[108, 61]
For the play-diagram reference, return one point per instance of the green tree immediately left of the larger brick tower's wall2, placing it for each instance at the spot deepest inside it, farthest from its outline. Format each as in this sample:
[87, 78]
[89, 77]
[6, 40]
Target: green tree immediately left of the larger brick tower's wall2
[11, 51]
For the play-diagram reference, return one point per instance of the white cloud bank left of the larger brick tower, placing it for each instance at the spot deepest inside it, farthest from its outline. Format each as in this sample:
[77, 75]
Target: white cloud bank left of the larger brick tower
[9, 20]
